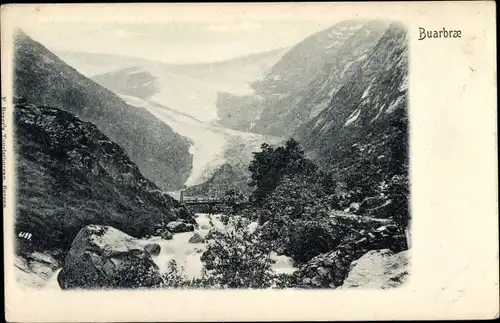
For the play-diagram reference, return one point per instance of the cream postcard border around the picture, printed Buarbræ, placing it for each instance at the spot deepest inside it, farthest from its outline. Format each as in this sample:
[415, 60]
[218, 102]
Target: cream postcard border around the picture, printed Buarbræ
[453, 170]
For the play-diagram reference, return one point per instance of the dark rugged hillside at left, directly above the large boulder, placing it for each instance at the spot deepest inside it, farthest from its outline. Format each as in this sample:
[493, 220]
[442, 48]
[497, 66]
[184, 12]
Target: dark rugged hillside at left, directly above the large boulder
[69, 174]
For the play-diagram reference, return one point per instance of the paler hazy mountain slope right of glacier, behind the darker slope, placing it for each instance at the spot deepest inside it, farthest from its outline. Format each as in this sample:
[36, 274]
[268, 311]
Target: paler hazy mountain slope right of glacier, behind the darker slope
[301, 84]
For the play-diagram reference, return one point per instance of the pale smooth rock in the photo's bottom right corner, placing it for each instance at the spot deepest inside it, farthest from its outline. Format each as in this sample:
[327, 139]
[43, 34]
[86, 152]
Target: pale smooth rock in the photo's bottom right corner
[379, 269]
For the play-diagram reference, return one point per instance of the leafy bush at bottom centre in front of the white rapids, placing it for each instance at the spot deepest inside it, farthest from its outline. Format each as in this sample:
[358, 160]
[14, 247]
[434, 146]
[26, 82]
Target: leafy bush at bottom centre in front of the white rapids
[237, 257]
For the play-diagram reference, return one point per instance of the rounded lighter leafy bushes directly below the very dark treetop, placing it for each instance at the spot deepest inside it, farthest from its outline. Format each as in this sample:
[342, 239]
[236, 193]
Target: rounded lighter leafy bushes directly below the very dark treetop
[295, 216]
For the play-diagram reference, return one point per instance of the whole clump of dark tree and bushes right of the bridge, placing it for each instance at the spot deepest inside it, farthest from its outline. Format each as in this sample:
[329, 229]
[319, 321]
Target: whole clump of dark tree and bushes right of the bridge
[295, 198]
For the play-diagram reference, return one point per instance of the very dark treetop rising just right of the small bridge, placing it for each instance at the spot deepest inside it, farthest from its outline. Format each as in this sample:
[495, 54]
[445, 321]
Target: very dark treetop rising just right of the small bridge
[270, 165]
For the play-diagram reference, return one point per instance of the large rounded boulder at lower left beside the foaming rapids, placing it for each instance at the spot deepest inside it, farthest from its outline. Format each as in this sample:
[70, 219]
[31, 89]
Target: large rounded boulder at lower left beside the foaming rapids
[104, 257]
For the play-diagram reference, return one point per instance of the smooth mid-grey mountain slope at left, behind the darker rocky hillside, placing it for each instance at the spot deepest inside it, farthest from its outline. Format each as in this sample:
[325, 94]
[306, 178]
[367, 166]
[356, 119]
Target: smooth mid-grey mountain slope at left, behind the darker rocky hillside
[42, 78]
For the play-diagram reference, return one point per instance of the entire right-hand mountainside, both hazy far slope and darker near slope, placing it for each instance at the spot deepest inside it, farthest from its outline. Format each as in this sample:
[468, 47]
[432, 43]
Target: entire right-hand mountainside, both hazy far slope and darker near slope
[342, 93]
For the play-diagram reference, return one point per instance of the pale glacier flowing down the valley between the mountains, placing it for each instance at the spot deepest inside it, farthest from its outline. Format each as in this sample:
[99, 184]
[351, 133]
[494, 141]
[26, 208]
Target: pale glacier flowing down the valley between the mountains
[184, 98]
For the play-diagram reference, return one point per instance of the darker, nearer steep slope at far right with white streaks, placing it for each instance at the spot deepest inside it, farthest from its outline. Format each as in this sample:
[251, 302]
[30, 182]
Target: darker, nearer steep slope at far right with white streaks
[363, 133]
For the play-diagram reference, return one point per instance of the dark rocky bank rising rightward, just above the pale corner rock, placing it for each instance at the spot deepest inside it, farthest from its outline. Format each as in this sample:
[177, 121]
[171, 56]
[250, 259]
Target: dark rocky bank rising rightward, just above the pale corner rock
[329, 270]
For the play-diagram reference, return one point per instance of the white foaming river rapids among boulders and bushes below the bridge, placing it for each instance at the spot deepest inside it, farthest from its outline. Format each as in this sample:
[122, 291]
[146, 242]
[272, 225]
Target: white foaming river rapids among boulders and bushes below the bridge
[188, 254]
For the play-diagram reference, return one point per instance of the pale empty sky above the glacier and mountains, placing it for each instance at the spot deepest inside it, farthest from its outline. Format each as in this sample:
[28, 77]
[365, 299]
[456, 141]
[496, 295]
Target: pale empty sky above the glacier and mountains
[175, 42]
